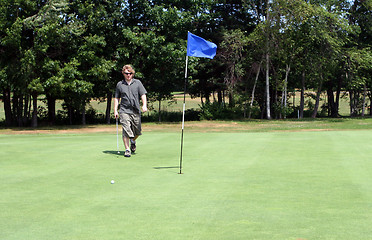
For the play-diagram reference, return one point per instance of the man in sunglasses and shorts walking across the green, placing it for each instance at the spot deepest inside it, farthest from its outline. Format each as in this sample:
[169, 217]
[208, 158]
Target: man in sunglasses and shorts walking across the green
[130, 91]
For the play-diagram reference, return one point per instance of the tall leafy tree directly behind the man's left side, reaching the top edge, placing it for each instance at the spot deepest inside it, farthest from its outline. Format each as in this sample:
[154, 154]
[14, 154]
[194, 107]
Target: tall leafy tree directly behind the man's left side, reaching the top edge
[99, 52]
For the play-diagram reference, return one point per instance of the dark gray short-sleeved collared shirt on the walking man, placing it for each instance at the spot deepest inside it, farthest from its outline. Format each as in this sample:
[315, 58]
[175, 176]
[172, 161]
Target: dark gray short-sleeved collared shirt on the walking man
[130, 96]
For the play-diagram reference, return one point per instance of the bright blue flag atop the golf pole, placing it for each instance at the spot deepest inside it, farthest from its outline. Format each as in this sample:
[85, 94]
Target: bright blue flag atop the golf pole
[198, 47]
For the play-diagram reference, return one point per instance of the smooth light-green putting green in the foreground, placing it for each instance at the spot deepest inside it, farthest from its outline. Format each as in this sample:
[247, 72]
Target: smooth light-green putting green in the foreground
[239, 185]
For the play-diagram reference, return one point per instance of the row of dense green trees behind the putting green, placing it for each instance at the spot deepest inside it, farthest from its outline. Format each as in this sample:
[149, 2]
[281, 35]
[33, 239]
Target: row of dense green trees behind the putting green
[73, 50]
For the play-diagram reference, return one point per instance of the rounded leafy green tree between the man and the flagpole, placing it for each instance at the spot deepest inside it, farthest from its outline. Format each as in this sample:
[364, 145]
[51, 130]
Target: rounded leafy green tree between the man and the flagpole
[160, 67]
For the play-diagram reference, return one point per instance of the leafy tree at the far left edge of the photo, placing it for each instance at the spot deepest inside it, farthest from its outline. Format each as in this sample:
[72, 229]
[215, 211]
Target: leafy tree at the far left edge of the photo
[16, 58]
